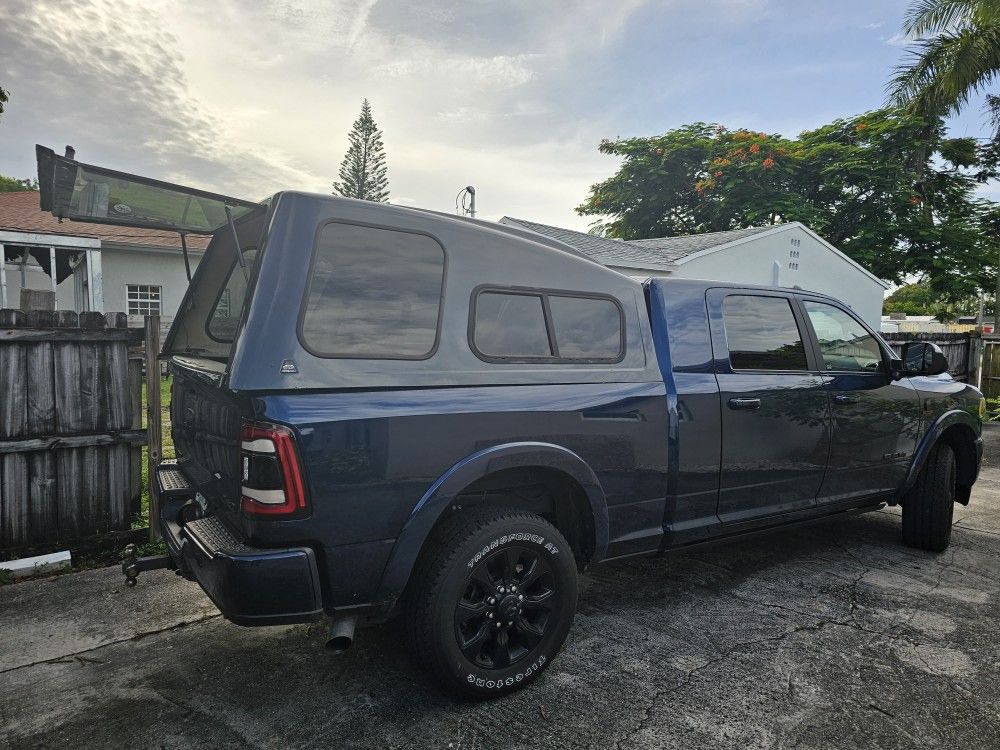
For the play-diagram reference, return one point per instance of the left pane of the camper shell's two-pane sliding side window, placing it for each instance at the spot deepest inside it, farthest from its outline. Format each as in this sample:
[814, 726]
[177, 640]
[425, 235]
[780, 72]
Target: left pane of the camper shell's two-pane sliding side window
[510, 325]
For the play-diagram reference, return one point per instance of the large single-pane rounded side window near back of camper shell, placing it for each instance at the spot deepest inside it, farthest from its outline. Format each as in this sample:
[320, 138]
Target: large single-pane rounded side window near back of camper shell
[373, 293]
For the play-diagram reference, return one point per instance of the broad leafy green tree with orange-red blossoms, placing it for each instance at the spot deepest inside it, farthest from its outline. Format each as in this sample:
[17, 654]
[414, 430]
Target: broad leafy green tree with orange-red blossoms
[888, 188]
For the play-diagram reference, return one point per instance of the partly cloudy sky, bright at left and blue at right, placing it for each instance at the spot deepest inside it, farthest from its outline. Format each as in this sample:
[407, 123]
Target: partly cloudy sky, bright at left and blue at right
[248, 97]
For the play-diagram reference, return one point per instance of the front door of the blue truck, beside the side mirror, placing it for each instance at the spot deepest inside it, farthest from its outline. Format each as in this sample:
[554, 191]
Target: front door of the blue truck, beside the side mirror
[876, 420]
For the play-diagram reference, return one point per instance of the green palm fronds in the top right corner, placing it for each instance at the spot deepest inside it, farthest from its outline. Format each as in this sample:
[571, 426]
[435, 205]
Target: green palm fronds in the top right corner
[957, 55]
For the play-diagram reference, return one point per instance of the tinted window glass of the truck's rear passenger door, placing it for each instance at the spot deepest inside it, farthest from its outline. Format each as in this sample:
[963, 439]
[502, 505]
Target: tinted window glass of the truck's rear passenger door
[762, 334]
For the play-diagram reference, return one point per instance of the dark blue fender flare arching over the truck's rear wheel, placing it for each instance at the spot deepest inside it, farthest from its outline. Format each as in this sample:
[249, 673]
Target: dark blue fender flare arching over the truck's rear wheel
[439, 497]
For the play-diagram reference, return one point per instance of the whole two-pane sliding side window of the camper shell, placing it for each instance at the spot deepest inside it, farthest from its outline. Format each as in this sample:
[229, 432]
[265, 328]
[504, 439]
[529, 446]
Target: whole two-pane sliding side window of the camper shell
[542, 326]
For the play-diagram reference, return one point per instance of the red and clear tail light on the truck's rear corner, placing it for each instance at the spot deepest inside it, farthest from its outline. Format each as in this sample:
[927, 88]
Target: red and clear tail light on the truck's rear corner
[272, 482]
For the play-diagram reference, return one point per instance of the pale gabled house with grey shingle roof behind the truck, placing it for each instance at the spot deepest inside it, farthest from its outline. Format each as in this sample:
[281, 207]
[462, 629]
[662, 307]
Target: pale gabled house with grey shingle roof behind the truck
[789, 255]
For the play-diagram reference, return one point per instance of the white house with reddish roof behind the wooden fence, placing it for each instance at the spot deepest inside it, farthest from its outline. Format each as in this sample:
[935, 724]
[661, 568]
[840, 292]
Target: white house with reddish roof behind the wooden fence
[100, 267]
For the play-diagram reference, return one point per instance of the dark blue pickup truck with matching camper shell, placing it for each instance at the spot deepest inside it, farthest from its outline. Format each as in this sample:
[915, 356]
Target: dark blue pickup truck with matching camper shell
[380, 410]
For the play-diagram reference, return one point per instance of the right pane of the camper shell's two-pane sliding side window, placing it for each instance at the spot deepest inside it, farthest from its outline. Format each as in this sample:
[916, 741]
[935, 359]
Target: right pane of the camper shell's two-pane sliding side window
[586, 327]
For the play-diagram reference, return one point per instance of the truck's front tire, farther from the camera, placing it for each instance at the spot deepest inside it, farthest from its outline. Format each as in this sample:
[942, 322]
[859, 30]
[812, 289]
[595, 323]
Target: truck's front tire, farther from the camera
[930, 505]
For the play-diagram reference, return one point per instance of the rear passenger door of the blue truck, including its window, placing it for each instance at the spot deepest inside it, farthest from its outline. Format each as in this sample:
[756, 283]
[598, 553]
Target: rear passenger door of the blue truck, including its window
[775, 410]
